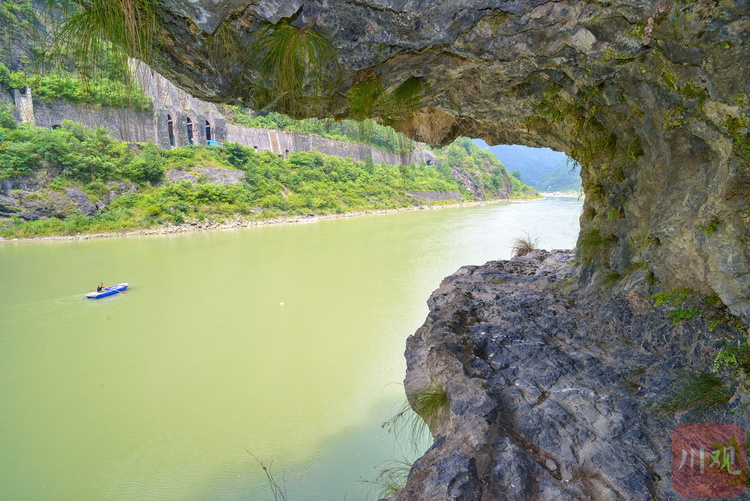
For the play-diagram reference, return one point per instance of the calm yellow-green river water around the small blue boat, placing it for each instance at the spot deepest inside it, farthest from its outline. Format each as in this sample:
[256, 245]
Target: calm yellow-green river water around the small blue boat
[283, 341]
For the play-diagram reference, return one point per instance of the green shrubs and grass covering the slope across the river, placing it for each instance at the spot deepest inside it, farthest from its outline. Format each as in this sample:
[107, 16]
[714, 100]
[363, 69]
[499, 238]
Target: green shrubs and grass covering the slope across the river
[127, 183]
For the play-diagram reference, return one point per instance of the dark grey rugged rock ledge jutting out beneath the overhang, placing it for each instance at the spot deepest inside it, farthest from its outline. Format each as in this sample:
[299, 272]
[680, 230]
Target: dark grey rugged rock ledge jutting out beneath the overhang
[552, 395]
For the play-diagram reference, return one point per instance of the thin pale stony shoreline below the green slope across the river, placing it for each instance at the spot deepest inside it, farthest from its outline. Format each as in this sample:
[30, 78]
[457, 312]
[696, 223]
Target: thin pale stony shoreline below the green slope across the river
[239, 222]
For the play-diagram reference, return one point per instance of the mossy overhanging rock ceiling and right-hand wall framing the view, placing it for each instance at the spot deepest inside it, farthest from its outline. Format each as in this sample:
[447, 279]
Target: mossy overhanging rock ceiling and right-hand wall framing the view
[651, 97]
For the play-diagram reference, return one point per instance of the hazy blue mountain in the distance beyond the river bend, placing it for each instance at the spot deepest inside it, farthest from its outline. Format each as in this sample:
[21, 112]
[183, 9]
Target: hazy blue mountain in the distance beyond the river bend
[544, 169]
